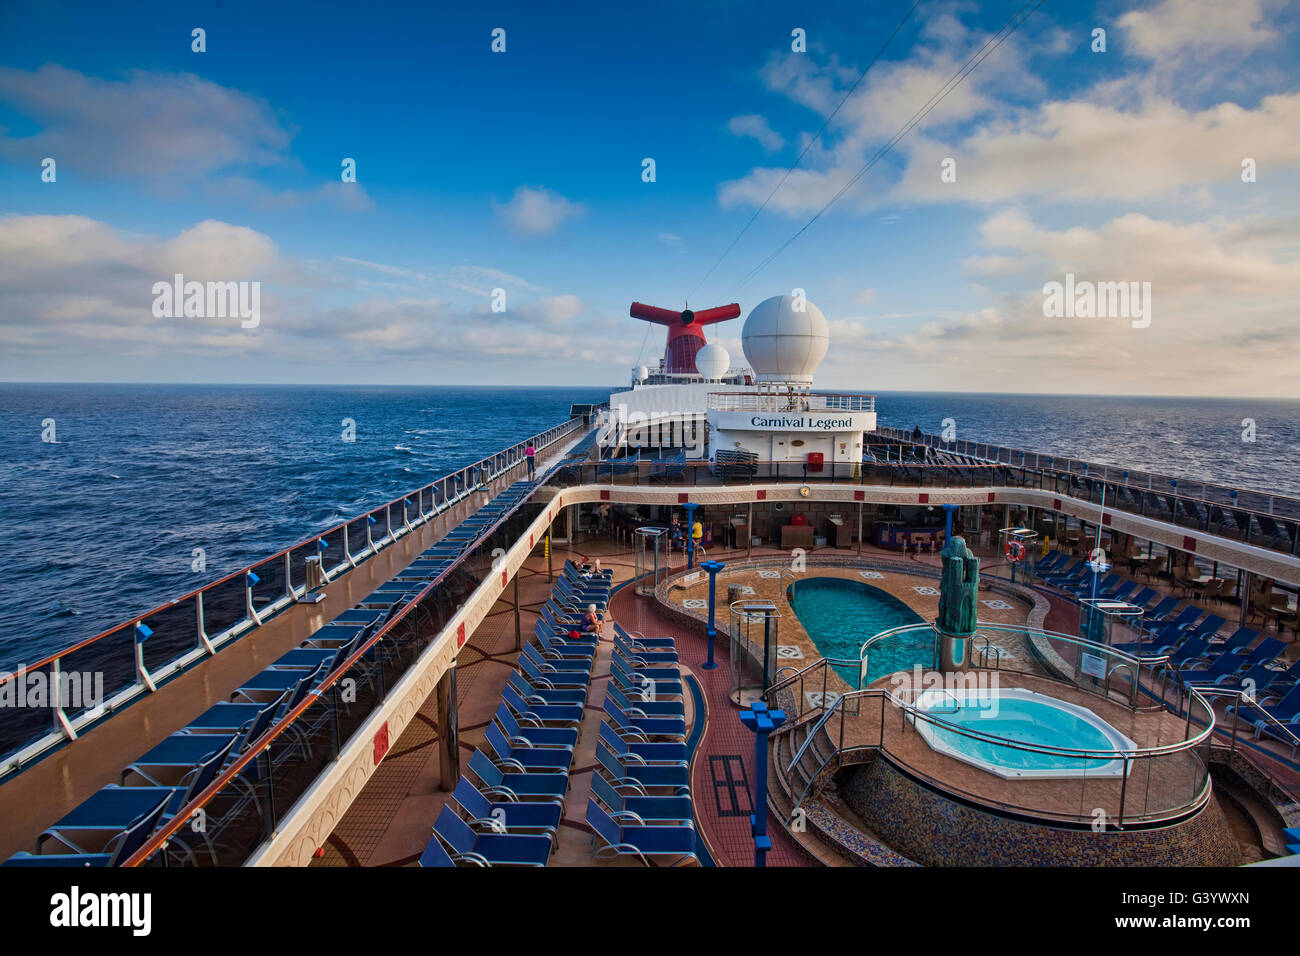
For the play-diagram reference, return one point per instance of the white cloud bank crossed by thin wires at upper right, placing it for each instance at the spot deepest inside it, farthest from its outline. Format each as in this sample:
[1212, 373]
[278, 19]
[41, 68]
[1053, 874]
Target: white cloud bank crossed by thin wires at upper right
[1125, 139]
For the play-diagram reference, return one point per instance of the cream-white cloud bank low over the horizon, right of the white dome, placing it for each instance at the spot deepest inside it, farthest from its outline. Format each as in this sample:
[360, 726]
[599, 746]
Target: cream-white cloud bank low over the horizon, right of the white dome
[1223, 314]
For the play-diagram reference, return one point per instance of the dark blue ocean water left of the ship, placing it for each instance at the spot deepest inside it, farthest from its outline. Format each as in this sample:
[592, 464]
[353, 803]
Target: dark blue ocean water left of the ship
[105, 524]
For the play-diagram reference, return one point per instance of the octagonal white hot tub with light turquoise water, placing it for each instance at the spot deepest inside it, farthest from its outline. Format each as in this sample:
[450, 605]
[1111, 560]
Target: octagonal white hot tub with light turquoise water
[1025, 717]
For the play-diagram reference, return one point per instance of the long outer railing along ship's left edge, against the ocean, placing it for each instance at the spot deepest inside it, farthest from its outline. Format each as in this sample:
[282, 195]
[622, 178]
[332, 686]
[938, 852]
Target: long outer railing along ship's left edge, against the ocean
[135, 657]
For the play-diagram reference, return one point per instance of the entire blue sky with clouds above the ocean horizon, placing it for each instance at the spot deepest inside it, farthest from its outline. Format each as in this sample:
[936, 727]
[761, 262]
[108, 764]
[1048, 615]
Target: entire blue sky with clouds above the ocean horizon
[522, 171]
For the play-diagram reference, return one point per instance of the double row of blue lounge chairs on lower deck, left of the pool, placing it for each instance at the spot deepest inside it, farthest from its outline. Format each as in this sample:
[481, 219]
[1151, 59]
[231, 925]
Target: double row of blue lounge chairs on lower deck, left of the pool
[508, 811]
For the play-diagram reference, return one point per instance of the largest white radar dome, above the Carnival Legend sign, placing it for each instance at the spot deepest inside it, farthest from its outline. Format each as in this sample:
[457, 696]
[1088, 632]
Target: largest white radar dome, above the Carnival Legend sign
[785, 344]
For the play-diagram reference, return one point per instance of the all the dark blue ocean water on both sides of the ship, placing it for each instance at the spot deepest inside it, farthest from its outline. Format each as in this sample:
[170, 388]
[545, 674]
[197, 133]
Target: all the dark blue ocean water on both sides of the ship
[103, 524]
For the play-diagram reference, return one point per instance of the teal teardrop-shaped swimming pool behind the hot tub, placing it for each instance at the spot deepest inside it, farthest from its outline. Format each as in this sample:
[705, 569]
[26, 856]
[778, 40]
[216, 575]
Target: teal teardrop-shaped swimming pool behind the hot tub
[840, 616]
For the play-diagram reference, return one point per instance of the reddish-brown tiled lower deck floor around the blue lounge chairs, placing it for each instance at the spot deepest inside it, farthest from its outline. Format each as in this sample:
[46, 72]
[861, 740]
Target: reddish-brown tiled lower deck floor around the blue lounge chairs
[391, 821]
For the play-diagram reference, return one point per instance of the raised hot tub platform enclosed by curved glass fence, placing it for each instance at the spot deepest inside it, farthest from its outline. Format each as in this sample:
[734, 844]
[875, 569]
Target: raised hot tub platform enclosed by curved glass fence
[1045, 725]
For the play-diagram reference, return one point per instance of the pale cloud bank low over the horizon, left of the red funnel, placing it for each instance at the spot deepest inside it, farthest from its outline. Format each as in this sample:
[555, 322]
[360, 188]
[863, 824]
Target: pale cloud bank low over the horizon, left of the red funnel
[77, 293]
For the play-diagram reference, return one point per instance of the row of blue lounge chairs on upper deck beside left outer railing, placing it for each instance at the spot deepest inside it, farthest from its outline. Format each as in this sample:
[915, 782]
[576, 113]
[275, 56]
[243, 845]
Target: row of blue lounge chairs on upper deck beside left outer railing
[118, 820]
